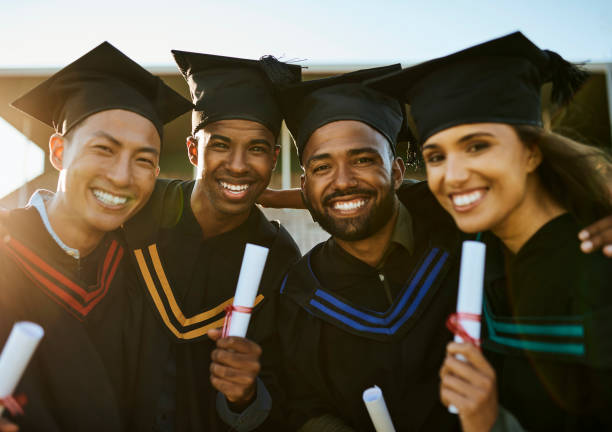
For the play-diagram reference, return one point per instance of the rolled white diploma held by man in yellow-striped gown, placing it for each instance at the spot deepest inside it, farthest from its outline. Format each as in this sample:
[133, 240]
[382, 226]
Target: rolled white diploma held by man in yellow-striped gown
[253, 263]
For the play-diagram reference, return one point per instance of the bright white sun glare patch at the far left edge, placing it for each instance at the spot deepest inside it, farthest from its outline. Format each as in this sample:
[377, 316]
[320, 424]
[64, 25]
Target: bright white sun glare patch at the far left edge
[26, 161]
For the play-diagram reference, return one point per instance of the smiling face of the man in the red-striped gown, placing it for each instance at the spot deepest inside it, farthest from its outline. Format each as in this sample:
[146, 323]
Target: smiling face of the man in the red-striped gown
[108, 167]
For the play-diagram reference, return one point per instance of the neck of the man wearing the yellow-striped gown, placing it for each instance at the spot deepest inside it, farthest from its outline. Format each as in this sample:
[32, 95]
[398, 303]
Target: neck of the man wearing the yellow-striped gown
[211, 221]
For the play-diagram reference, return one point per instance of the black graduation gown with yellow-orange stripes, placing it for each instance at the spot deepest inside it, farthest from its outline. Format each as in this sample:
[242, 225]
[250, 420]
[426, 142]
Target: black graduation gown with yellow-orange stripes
[187, 282]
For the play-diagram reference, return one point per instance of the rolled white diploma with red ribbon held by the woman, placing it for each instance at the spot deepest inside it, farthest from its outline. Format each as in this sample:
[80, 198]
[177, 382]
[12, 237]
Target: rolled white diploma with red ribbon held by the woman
[469, 297]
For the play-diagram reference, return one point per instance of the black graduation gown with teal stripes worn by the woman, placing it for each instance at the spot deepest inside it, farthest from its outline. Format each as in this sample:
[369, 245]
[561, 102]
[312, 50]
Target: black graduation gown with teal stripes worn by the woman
[548, 330]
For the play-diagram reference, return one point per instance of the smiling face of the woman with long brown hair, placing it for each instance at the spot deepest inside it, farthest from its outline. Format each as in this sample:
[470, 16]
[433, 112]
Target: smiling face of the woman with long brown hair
[481, 174]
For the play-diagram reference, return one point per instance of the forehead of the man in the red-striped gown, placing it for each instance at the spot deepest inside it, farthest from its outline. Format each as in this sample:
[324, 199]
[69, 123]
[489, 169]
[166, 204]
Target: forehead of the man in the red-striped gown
[125, 126]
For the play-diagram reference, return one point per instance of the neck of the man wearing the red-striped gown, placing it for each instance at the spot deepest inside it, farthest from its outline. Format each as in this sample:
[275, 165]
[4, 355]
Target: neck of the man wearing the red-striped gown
[72, 231]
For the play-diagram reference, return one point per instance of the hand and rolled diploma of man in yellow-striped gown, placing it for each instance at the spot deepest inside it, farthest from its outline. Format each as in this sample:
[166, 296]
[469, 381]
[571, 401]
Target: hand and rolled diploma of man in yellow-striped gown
[235, 362]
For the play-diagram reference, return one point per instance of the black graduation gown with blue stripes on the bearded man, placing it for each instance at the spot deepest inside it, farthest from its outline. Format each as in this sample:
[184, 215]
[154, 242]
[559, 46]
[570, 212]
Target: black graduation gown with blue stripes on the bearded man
[335, 346]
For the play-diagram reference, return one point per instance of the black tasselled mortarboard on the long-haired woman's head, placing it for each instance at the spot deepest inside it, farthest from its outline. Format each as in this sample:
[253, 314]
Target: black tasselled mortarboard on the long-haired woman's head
[497, 81]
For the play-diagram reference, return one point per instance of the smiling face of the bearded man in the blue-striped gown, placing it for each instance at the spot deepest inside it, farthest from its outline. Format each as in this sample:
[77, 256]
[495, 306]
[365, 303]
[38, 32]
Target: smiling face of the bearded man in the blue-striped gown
[349, 179]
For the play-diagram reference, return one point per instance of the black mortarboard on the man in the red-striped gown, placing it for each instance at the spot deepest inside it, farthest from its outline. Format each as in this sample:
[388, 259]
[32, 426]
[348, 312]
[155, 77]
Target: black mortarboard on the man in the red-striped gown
[101, 80]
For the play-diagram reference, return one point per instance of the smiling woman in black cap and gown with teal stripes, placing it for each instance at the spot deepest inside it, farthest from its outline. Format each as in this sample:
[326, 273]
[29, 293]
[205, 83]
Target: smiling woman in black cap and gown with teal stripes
[491, 164]
